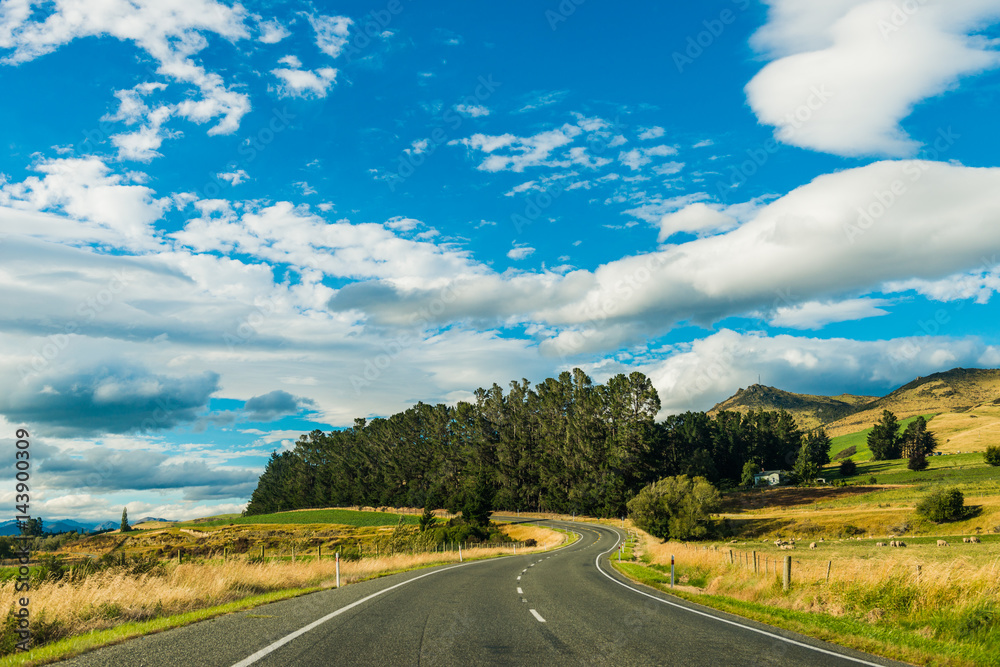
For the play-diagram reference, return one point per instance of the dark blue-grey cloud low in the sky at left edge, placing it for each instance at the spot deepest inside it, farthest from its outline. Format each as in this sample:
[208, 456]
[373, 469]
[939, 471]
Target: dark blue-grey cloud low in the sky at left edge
[109, 398]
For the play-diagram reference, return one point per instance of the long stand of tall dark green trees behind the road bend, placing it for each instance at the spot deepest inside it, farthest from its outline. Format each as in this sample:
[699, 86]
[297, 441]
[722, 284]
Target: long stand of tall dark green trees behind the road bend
[565, 445]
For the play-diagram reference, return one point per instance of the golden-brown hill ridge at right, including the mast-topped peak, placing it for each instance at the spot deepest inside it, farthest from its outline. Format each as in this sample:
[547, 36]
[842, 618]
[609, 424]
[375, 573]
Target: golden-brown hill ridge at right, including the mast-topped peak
[957, 390]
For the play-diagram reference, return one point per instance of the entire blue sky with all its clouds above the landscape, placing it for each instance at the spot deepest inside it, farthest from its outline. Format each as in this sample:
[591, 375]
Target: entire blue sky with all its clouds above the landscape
[224, 224]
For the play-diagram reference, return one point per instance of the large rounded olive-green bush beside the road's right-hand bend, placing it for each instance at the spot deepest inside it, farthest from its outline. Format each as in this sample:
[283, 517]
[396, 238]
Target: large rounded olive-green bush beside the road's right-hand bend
[675, 507]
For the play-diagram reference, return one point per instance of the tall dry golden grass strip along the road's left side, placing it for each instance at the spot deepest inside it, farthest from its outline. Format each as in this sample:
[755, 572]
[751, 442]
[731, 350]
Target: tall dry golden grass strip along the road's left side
[74, 606]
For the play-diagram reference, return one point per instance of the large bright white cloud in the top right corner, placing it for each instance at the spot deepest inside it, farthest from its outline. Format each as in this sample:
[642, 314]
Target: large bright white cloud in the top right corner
[846, 72]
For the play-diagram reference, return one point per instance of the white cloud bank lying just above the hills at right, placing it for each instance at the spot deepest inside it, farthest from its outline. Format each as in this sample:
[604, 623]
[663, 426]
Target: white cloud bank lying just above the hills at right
[696, 376]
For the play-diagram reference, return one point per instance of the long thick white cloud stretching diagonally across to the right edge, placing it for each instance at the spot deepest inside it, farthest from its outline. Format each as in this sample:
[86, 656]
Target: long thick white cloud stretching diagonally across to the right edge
[841, 235]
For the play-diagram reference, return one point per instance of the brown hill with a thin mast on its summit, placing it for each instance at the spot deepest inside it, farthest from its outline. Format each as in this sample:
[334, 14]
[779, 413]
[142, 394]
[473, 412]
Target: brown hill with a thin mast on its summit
[809, 411]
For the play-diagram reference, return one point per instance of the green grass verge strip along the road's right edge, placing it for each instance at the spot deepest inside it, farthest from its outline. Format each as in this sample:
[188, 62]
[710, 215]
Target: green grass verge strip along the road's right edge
[897, 641]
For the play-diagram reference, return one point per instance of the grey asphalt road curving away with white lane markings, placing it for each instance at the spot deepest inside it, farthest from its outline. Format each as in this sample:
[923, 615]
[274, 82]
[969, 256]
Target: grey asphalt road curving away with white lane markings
[566, 607]
